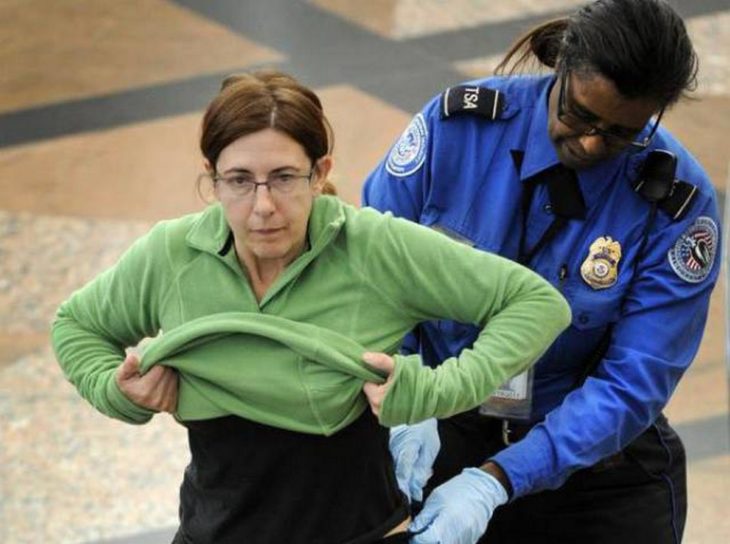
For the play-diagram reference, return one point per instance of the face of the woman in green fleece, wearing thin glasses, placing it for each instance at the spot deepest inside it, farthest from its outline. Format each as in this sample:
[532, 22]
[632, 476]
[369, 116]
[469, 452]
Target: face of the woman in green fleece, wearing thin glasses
[269, 223]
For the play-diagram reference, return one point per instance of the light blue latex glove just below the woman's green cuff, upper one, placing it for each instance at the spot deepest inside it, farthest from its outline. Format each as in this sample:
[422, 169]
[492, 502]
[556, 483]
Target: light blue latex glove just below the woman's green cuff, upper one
[414, 449]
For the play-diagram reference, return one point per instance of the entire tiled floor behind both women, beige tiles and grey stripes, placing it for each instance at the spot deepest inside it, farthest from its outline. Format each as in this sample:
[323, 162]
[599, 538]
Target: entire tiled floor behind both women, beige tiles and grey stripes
[99, 113]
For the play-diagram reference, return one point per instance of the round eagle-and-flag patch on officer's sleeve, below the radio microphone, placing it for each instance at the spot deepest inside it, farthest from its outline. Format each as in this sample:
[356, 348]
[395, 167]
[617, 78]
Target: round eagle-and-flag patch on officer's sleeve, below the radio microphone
[693, 254]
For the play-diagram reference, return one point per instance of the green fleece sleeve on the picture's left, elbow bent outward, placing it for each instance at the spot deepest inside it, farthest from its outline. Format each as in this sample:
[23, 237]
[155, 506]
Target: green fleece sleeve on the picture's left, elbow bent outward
[114, 311]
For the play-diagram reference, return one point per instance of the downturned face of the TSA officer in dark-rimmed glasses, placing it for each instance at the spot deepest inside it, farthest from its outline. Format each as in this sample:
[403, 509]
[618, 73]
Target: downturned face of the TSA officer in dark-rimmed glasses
[591, 100]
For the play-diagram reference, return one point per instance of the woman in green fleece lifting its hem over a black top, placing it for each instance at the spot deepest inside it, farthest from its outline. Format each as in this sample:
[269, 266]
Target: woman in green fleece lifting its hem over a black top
[267, 302]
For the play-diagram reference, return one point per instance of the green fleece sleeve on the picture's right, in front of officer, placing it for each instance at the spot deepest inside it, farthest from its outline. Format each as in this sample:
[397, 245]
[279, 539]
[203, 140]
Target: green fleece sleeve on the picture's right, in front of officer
[433, 277]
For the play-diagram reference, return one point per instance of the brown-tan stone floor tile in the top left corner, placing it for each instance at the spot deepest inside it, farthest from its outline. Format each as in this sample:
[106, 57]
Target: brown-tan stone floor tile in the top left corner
[63, 50]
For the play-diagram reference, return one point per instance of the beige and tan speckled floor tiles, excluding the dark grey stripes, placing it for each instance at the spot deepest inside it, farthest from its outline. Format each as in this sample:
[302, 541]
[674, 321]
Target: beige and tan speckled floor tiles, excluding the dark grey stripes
[70, 205]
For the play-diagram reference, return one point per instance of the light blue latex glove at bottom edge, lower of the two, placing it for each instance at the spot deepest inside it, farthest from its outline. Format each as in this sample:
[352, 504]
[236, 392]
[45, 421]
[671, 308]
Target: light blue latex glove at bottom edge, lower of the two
[458, 511]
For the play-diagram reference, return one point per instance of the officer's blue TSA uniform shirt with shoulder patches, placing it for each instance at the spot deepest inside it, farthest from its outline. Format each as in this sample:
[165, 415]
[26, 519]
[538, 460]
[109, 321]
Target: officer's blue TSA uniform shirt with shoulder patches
[457, 174]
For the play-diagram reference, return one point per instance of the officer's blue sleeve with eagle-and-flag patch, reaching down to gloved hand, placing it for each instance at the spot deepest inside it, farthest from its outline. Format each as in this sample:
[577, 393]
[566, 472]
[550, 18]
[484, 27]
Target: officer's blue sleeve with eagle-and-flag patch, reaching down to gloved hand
[652, 345]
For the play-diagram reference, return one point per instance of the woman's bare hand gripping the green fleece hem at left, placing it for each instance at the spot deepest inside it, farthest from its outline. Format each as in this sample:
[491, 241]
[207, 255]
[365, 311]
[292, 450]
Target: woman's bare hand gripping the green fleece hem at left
[156, 390]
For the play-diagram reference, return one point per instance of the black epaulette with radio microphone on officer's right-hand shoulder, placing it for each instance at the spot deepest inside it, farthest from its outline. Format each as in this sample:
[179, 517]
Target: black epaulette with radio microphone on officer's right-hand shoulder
[656, 183]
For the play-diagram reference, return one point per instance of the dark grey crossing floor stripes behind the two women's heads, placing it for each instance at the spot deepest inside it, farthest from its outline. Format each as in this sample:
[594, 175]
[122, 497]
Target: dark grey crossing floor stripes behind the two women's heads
[322, 49]
